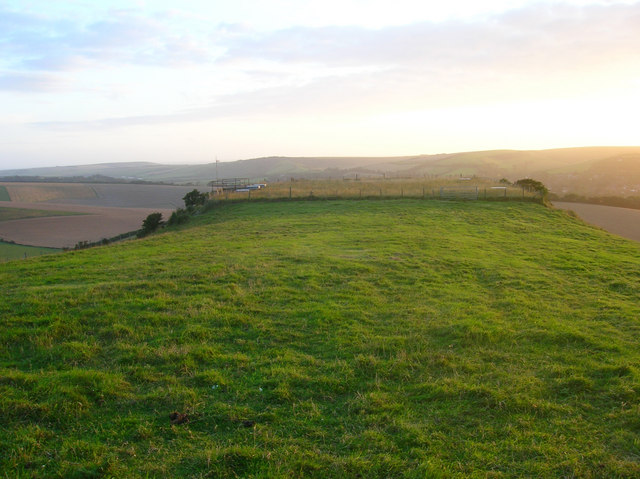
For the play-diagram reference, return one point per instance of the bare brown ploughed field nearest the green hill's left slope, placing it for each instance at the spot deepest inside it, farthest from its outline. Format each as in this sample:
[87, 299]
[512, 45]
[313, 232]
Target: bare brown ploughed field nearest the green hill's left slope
[66, 231]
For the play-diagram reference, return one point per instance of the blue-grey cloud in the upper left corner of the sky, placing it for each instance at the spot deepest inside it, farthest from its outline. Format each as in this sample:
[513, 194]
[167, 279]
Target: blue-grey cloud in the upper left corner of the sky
[31, 42]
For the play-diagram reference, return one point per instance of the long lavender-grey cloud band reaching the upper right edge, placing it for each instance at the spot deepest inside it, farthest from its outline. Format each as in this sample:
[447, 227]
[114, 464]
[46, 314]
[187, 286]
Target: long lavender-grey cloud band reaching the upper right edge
[541, 35]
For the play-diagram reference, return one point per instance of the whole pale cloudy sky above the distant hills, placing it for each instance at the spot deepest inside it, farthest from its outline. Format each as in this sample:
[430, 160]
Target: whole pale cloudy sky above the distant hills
[85, 81]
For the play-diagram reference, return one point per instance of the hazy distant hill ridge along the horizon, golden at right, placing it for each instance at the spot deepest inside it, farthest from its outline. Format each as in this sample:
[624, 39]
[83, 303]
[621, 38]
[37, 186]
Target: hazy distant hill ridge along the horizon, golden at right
[610, 170]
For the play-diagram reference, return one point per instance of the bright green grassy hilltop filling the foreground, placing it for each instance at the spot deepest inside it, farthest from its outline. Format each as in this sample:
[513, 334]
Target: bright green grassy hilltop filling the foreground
[398, 338]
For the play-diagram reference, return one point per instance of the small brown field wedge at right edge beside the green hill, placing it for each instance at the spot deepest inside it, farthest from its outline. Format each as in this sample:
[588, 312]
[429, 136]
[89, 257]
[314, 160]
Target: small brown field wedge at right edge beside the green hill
[624, 222]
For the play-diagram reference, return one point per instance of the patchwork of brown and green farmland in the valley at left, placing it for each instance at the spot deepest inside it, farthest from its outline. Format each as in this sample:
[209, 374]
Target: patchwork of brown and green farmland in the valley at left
[81, 212]
